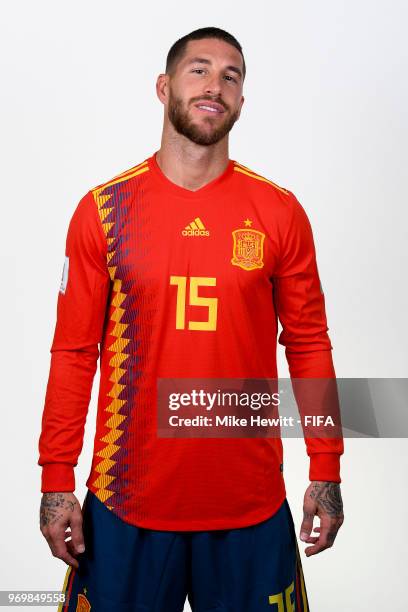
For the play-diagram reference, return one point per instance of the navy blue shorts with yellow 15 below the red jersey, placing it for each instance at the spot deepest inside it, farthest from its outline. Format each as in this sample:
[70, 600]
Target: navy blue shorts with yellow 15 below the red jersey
[132, 569]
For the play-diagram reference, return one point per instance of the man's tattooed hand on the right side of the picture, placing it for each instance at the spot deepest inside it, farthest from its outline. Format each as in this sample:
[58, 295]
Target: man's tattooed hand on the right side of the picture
[324, 499]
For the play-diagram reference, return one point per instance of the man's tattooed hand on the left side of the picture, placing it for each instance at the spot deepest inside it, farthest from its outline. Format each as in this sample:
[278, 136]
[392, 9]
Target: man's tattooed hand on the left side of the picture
[57, 512]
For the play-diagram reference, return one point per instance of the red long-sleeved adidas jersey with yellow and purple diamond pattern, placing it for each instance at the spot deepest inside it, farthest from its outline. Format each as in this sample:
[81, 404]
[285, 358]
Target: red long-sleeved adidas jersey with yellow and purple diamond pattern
[241, 239]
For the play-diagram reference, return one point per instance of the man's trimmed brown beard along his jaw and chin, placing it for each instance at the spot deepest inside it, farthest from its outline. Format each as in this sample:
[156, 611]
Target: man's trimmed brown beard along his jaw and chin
[183, 124]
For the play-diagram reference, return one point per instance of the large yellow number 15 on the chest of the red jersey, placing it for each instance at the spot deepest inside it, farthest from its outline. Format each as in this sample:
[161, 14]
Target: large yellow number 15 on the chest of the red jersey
[195, 300]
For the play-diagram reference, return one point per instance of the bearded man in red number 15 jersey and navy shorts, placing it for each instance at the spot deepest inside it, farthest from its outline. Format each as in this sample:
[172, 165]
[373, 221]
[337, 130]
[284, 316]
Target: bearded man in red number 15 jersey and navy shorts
[179, 268]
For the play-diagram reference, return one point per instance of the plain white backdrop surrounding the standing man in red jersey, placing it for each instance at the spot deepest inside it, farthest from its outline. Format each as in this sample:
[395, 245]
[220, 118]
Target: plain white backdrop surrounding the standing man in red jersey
[325, 116]
